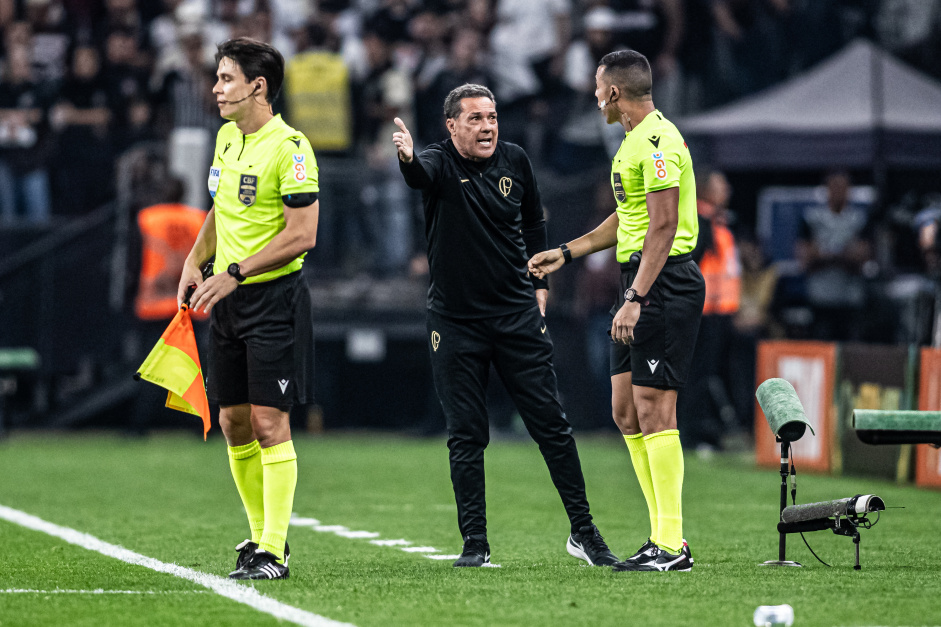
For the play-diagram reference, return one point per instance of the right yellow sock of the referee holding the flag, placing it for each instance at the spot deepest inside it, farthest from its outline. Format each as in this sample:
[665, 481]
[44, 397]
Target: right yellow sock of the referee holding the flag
[279, 463]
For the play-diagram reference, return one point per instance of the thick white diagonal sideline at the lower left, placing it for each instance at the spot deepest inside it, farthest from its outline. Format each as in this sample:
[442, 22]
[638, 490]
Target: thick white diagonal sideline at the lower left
[221, 586]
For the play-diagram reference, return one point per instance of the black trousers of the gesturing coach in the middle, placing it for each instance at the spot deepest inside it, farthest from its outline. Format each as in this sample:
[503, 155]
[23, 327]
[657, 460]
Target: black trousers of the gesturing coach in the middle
[520, 349]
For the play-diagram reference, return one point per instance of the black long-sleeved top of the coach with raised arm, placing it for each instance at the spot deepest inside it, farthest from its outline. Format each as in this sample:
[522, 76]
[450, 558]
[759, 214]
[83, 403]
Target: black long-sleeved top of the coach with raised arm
[483, 221]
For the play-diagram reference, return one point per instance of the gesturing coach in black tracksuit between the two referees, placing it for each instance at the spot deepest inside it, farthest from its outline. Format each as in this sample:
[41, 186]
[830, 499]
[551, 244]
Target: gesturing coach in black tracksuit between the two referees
[483, 219]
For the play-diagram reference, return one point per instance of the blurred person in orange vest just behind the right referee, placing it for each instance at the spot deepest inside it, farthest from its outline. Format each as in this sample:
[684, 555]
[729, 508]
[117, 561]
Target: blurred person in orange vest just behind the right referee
[704, 409]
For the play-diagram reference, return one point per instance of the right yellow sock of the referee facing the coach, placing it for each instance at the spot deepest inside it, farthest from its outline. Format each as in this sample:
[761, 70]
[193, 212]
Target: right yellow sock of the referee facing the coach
[665, 456]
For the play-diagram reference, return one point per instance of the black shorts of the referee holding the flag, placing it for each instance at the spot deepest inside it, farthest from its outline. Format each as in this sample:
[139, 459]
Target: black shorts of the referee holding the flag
[261, 347]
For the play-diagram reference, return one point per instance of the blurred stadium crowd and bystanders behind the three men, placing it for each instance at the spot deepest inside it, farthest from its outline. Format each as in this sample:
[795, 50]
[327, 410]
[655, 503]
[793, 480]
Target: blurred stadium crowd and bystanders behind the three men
[86, 83]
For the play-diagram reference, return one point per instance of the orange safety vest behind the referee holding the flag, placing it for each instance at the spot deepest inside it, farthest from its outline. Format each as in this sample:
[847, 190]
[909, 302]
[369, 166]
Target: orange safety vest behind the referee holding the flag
[168, 232]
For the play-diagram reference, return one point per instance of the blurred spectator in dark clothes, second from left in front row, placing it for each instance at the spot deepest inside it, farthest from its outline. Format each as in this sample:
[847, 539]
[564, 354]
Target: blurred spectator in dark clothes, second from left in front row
[81, 119]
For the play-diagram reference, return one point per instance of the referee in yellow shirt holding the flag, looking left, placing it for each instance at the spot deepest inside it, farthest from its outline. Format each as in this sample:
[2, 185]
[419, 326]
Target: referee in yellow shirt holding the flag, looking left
[263, 181]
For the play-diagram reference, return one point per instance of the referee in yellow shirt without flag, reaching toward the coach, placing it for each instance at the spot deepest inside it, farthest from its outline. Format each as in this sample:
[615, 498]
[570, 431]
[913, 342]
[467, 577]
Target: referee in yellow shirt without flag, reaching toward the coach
[660, 300]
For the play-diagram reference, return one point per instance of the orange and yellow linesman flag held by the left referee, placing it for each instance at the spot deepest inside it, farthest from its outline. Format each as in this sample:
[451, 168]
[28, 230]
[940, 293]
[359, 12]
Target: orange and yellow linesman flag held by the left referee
[174, 364]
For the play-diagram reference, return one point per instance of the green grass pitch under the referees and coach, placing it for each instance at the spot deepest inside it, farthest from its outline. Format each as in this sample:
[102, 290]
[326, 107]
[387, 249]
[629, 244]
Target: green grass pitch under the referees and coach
[171, 497]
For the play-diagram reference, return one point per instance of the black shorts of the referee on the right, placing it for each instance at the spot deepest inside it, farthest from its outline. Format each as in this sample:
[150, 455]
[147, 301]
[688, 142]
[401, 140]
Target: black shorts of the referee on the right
[665, 335]
